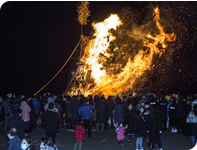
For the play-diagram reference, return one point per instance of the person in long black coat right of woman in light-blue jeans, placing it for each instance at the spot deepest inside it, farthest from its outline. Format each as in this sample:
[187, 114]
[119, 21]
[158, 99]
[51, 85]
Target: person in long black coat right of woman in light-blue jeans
[154, 128]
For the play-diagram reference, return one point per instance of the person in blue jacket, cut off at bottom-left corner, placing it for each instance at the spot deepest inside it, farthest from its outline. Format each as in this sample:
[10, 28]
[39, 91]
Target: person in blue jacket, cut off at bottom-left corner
[14, 141]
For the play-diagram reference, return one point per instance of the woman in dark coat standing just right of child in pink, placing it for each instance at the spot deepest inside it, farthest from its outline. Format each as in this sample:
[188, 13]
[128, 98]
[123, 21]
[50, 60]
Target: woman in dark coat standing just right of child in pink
[130, 122]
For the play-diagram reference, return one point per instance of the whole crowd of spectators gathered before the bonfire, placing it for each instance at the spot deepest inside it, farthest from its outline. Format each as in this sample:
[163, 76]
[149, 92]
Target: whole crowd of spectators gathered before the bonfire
[141, 118]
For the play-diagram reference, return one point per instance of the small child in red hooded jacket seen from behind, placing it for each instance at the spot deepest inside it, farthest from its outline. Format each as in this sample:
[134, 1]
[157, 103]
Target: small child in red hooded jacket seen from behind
[79, 135]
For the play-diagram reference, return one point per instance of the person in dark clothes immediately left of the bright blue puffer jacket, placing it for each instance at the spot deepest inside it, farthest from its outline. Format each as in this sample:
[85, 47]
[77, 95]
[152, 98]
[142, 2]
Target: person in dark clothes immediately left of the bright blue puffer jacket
[74, 106]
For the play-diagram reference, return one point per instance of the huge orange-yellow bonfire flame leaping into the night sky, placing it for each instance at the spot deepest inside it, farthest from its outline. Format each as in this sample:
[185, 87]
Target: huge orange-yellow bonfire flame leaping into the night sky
[111, 84]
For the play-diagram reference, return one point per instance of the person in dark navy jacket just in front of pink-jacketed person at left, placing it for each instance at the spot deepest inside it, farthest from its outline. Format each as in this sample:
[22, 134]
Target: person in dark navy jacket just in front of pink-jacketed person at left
[18, 123]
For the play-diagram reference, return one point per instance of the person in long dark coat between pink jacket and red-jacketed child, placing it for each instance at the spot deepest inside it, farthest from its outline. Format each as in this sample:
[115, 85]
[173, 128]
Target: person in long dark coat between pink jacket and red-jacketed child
[51, 118]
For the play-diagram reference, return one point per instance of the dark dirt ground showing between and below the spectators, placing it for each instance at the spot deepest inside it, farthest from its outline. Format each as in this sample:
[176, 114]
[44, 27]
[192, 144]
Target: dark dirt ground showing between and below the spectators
[107, 141]
